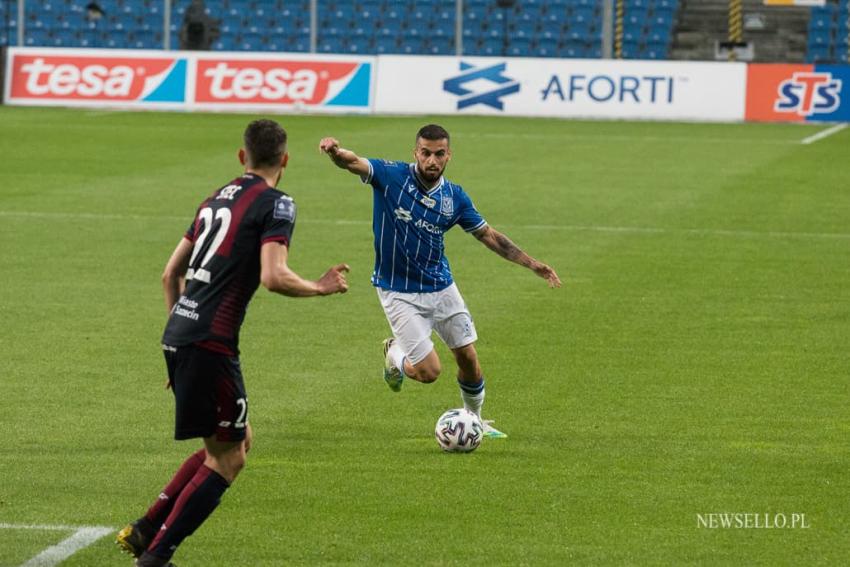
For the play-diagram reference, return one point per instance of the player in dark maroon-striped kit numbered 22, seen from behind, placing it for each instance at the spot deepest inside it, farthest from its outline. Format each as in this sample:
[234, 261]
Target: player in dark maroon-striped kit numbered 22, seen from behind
[239, 238]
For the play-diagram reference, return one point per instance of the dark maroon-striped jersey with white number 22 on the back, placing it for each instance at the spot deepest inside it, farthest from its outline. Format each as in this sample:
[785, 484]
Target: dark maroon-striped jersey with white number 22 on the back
[224, 269]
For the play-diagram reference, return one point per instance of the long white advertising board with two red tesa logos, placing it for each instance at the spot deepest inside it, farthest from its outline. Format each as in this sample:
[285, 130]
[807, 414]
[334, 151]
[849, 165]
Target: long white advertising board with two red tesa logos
[188, 80]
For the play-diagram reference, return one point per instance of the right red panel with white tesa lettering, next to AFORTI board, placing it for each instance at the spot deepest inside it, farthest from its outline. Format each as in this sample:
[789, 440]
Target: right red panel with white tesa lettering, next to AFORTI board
[266, 81]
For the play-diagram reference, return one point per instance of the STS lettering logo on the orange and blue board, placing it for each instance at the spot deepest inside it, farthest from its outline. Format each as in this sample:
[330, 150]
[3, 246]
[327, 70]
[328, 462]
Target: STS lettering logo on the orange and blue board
[807, 93]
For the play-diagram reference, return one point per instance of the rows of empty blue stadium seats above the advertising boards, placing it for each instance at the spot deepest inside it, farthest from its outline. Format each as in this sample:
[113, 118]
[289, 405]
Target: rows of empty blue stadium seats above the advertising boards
[540, 28]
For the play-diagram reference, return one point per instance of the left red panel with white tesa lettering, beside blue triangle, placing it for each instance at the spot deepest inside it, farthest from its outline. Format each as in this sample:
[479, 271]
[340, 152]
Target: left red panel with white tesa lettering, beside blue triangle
[83, 78]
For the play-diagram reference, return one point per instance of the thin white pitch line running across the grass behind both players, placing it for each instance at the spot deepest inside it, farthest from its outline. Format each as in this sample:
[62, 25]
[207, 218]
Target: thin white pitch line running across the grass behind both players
[562, 227]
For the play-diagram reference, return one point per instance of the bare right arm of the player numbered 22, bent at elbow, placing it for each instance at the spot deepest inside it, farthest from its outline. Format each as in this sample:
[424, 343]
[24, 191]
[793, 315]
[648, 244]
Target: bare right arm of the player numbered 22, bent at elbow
[277, 276]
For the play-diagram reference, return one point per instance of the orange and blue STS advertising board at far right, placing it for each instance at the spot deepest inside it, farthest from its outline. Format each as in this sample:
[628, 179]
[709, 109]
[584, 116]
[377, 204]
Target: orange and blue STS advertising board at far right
[798, 93]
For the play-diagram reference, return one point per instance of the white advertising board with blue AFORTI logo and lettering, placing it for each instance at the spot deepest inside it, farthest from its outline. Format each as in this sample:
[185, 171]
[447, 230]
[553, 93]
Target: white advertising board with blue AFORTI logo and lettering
[565, 88]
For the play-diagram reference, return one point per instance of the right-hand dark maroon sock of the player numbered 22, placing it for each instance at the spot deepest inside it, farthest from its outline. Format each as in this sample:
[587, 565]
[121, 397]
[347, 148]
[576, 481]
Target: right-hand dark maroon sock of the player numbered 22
[194, 505]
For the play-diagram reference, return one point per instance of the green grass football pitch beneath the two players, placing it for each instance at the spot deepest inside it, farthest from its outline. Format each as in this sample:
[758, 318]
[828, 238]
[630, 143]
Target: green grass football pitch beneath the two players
[694, 362]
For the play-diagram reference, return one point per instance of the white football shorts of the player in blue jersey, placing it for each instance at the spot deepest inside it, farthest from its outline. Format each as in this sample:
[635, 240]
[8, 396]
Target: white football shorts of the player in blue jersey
[412, 317]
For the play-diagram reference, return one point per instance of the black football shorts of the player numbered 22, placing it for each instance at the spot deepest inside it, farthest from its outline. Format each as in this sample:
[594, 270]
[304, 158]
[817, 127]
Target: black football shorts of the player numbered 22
[209, 393]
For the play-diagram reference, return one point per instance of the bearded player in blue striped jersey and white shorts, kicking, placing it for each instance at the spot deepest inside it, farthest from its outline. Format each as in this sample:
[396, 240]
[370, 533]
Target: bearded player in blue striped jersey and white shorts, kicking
[413, 206]
